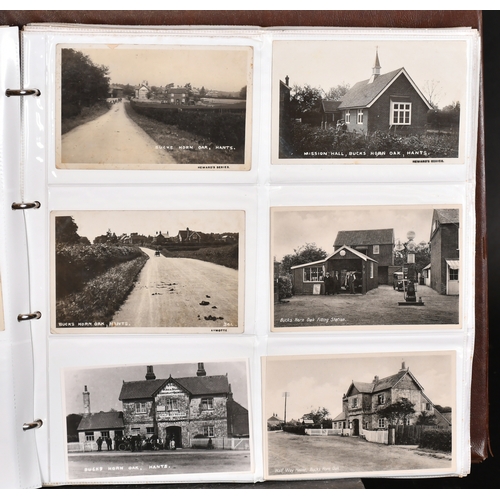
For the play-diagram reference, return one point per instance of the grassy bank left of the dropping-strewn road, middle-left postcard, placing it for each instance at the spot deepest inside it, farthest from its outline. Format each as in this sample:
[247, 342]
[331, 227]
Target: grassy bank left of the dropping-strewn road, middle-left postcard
[101, 297]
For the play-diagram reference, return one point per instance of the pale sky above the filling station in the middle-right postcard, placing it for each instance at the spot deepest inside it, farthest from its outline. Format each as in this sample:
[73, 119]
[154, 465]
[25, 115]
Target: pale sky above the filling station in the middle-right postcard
[294, 227]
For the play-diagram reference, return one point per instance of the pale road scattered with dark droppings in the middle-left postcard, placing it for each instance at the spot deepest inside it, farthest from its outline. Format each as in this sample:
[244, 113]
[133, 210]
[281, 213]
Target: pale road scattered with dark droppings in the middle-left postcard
[169, 293]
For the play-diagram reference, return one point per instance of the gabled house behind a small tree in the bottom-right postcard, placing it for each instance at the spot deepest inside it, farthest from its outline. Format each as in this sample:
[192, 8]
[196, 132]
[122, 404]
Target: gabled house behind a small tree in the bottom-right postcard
[363, 399]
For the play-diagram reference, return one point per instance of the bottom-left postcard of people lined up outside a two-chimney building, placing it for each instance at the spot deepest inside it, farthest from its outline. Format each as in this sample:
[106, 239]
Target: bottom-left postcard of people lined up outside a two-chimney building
[156, 420]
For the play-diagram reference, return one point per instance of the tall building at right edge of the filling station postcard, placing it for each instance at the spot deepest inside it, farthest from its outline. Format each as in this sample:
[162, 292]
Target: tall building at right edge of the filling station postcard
[445, 253]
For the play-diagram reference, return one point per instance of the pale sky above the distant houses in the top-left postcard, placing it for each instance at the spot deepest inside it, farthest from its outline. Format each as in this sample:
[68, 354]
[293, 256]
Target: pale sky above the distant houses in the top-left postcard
[215, 68]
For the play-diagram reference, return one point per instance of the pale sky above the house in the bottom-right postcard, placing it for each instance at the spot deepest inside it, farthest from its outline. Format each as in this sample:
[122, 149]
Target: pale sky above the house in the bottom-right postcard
[321, 381]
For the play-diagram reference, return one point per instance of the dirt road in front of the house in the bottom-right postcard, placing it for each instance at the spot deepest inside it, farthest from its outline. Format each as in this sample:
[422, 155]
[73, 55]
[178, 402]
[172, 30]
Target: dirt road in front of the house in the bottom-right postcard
[293, 454]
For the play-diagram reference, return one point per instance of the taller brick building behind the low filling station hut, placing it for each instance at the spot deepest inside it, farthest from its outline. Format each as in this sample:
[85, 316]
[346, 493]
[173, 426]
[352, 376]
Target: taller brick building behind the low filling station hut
[378, 244]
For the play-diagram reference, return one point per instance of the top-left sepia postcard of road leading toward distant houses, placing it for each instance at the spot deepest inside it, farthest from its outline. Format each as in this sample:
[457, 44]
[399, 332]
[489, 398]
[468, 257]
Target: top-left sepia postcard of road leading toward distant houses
[154, 107]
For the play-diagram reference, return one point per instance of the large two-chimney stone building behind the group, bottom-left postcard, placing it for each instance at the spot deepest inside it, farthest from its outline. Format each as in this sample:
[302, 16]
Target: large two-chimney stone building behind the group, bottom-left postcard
[180, 409]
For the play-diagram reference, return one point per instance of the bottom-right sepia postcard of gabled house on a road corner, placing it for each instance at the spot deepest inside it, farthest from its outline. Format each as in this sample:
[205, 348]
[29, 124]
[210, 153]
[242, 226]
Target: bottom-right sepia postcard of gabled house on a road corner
[359, 415]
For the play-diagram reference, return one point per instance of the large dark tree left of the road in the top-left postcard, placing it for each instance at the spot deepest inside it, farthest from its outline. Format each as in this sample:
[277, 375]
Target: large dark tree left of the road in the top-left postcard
[83, 83]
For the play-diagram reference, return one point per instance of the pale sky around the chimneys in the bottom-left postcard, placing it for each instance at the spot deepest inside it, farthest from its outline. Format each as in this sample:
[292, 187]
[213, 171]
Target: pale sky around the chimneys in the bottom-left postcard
[104, 384]
